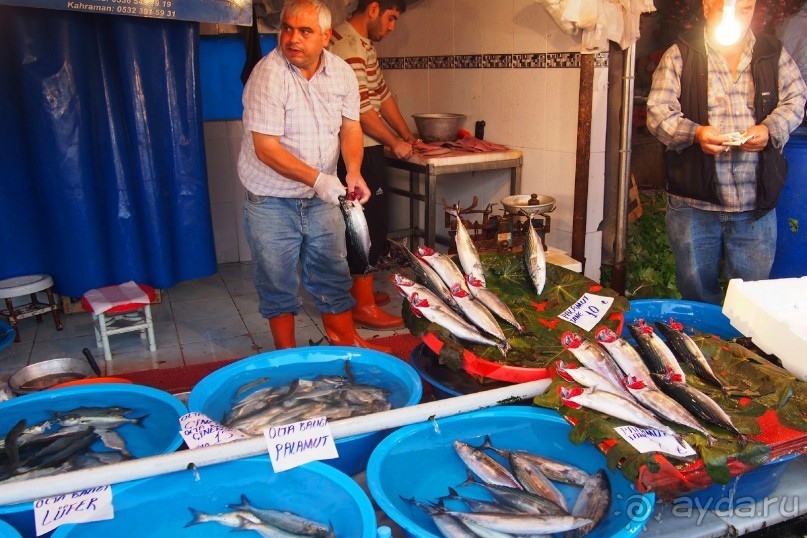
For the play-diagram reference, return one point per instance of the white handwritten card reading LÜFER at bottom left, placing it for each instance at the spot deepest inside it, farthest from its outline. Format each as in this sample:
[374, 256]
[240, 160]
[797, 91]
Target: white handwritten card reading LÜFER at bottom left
[94, 504]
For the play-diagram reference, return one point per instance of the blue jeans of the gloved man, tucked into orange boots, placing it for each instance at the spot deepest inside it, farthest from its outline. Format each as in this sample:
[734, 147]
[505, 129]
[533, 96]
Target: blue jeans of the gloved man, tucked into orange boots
[284, 231]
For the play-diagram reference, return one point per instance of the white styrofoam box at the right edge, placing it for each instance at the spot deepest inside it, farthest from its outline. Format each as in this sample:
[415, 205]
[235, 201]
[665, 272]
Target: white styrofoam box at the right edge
[774, 314]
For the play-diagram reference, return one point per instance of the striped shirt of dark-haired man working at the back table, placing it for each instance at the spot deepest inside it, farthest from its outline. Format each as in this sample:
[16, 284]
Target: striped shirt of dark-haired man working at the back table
[360, 54]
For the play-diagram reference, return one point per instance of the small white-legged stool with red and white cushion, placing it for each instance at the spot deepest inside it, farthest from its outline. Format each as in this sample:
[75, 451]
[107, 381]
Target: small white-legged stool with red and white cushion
[123, 317]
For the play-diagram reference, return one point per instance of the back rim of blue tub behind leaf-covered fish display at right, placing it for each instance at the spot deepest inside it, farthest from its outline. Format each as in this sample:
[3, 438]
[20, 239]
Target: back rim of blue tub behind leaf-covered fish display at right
[707, 318]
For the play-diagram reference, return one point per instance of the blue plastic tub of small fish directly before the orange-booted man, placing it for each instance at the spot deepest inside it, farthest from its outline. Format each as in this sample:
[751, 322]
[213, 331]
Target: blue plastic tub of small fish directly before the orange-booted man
[214, 394]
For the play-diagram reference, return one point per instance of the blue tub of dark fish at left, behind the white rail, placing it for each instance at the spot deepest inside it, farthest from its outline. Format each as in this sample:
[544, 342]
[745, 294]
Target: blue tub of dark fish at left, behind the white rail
[159, 433]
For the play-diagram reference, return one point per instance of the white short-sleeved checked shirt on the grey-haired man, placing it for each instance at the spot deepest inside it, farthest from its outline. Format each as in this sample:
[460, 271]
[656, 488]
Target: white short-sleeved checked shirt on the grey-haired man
[306, 115]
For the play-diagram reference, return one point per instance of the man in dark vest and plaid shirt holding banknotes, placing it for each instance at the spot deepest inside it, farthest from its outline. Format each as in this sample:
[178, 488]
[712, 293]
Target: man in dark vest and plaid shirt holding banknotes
[724, 112]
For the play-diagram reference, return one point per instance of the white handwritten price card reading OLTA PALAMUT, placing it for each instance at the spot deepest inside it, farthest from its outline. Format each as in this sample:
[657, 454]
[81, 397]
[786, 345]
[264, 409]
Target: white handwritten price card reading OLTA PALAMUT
[297, 443]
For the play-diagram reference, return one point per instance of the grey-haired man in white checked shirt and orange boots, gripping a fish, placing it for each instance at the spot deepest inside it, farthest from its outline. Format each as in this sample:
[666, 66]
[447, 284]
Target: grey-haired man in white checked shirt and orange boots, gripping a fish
[301, 110]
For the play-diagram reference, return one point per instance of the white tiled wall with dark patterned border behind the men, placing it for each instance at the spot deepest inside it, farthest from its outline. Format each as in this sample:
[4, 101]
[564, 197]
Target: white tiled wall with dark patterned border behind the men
[511, 67]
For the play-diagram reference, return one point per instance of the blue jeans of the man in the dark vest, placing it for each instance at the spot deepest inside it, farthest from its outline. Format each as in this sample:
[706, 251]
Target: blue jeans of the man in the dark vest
[700, 239]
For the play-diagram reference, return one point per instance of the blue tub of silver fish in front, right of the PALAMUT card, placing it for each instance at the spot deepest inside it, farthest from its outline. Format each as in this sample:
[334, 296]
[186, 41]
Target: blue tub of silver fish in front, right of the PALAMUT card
[397, 466]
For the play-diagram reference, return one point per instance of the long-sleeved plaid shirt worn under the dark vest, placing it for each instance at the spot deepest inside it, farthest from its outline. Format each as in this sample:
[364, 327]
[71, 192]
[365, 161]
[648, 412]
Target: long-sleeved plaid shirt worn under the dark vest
[731, 109]
